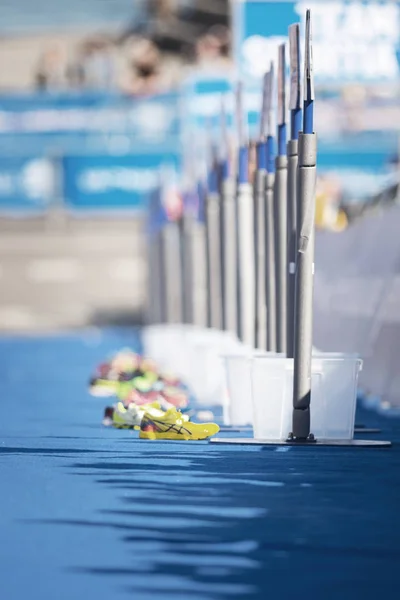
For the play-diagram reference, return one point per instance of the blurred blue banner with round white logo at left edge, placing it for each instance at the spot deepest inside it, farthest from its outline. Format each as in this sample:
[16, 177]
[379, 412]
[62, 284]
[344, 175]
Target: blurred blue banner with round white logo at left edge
[27, 185]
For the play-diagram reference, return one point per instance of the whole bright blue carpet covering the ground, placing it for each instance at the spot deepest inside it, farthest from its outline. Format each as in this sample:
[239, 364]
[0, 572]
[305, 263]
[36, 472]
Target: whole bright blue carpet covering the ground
[88, 512]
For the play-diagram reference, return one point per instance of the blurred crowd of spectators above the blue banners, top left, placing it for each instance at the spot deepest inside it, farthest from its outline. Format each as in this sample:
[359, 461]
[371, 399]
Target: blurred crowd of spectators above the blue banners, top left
[149, 57]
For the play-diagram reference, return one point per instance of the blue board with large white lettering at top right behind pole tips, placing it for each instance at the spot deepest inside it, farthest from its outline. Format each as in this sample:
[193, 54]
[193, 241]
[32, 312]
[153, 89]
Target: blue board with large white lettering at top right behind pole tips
[353, 40]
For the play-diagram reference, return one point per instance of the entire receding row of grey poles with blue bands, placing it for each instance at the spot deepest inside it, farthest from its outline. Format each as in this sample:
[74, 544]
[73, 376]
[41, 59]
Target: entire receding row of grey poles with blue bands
[241, 258]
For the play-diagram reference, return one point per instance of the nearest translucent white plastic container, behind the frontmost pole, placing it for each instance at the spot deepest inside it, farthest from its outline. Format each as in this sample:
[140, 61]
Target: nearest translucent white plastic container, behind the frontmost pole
[333, 396]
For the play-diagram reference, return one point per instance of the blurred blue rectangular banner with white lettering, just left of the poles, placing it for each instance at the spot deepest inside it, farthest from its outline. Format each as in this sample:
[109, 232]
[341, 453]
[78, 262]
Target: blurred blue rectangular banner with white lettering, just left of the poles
[100, 182]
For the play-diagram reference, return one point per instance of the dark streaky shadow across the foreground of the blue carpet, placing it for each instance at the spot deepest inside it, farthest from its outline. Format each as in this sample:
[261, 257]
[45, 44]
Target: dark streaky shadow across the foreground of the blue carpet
[202, 523]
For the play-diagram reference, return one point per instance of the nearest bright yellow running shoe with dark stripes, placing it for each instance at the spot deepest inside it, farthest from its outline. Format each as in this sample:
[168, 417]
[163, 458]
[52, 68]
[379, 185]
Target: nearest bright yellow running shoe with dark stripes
[174, 426]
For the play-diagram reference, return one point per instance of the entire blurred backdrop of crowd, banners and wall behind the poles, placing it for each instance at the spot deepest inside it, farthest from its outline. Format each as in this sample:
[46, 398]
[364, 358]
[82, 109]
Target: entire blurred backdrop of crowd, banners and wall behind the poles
[95, 97]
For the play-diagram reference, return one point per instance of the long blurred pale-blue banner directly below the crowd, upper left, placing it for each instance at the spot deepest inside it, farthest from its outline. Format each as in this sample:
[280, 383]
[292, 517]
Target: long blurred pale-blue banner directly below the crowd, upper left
[150, 118]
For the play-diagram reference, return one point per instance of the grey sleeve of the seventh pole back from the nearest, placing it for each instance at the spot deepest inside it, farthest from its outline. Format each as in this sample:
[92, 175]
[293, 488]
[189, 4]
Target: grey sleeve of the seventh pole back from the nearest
[229, 253]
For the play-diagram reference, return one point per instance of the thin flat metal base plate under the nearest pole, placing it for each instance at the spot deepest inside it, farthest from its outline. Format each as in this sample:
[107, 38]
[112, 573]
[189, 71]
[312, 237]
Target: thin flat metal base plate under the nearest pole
[316, 443]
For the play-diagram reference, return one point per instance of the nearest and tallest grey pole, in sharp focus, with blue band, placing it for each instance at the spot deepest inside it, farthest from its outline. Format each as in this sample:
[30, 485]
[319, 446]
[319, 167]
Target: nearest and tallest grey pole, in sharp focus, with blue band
[305, 257]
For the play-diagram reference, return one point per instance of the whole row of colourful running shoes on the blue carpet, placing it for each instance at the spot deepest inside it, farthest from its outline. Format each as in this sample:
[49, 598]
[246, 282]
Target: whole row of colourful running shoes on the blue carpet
[147, 400]
